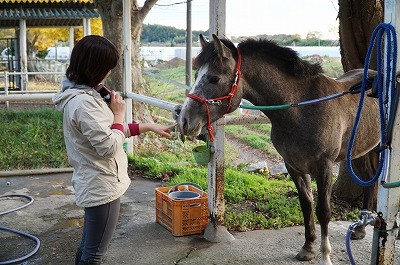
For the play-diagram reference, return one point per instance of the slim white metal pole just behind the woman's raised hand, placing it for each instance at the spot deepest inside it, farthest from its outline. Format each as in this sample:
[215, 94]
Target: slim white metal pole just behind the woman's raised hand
[127, 75]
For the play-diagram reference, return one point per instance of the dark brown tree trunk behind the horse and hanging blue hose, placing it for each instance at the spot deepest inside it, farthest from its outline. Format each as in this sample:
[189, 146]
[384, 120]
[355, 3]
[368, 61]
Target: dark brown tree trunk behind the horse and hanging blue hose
[357, 21]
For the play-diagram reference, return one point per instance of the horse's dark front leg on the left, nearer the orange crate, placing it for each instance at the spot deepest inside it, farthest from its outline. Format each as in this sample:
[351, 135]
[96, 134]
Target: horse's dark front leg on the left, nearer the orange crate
[303, 185]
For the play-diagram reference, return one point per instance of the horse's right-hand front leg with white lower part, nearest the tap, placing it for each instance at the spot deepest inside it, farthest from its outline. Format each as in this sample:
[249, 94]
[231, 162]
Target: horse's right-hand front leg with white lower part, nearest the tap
[323, 209]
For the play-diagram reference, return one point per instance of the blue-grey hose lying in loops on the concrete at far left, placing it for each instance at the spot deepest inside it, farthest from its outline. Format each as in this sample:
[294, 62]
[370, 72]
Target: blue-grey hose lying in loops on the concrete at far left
[35, 239]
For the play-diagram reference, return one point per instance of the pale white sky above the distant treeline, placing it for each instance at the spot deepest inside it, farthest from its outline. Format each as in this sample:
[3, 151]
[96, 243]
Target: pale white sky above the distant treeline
[254, 17]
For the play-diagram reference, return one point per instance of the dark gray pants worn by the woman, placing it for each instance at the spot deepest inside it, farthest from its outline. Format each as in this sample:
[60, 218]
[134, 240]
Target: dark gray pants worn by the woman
[99, 226]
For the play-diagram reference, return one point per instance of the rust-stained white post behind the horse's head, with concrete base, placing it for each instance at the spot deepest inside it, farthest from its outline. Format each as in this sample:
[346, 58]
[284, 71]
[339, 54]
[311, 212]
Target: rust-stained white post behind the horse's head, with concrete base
[214, 231]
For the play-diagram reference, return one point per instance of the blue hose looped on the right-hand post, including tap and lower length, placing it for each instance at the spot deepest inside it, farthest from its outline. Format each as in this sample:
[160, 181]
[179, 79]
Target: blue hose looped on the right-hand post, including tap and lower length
[386, 122]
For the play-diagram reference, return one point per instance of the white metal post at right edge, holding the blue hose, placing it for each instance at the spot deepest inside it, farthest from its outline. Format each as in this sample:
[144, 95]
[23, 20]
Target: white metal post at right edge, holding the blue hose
[388, 199]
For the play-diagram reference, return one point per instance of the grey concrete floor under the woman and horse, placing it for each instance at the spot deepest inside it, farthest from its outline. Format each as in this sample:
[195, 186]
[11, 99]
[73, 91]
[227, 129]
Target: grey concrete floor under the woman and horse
[56, 221]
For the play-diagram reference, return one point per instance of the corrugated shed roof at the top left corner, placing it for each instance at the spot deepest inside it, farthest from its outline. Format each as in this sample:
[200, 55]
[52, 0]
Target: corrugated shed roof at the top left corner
[42, 13]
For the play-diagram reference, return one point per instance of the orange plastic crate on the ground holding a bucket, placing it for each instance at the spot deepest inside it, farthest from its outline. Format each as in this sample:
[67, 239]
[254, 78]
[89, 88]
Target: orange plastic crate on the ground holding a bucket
[182, 217]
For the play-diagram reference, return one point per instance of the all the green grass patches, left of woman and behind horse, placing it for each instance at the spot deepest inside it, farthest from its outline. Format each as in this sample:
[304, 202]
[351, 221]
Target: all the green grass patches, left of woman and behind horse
[34, 139]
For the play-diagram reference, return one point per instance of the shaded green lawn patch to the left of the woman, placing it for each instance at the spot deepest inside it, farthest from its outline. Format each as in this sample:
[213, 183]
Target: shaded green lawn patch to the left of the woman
[31, 139]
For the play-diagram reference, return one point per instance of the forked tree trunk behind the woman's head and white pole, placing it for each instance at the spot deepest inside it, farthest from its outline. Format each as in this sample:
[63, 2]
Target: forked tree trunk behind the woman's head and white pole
[111, 16]
